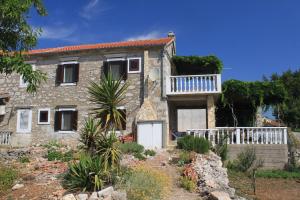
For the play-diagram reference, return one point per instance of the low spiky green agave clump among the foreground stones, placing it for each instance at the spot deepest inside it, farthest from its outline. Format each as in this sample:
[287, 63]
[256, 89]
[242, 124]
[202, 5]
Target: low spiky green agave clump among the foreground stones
[85, 175]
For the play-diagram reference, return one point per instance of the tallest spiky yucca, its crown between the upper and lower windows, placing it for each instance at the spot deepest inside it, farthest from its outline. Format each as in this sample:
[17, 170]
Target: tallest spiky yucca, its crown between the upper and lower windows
[108, 94]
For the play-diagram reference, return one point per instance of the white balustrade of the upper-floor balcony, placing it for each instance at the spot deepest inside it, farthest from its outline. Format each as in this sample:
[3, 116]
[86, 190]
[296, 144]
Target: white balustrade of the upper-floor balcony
[194, 84]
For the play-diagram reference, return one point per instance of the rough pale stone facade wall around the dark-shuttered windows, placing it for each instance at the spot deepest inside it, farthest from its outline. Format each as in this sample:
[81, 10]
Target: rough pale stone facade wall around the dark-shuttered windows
[50, 96]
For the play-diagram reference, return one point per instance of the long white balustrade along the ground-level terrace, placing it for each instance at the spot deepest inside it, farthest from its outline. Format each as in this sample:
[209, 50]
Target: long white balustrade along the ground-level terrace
[243, 135]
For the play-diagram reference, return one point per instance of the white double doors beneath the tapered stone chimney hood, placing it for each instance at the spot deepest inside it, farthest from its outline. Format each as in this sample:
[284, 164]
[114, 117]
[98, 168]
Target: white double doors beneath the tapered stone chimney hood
[149, 134]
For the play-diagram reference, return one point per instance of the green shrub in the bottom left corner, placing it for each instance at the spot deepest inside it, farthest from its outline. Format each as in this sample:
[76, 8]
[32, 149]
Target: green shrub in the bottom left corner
[7, 177]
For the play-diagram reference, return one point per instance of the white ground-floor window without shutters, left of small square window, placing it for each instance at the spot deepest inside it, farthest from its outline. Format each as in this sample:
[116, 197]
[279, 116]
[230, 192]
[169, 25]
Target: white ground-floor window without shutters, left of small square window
[24, 120]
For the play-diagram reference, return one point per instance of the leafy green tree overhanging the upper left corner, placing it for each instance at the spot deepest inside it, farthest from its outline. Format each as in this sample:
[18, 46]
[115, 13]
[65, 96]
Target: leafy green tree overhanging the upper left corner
[17, 37]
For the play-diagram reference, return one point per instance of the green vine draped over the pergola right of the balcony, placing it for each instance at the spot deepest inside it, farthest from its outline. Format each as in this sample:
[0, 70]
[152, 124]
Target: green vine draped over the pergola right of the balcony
[240, 101]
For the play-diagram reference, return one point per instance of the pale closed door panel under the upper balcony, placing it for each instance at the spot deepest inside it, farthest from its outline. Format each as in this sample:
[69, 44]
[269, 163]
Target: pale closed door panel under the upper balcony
[191, 119]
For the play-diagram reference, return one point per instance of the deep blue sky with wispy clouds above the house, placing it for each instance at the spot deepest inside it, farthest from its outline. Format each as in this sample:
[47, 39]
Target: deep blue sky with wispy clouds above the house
[252, 38]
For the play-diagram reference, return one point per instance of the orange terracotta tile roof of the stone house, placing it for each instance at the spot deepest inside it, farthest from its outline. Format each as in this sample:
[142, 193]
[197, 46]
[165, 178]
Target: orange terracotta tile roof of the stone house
[135, 43]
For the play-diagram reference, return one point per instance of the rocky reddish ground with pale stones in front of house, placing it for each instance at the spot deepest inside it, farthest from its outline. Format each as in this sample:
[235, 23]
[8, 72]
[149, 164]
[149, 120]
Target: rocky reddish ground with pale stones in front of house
[39, 179]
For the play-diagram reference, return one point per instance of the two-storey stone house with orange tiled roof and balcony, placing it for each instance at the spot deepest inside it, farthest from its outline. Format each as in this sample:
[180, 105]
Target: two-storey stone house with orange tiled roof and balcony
[60, 106]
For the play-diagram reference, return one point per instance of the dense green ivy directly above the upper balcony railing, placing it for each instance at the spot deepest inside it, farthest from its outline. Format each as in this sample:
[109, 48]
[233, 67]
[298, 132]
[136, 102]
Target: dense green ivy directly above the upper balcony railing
[191, 65]
